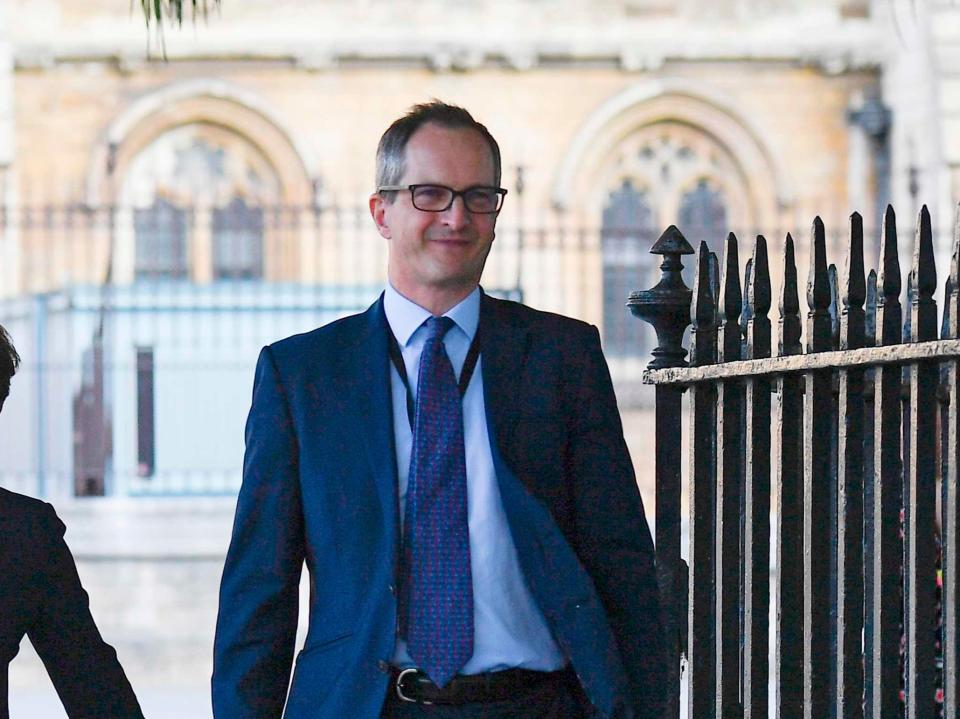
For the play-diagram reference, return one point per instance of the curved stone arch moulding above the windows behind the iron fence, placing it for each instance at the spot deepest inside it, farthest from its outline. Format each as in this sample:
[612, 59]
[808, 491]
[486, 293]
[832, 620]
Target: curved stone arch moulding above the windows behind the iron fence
[578, 185]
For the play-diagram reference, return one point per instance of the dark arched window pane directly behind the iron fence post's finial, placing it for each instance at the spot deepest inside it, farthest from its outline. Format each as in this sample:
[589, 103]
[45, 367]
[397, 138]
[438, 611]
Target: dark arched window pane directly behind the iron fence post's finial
[626, 237]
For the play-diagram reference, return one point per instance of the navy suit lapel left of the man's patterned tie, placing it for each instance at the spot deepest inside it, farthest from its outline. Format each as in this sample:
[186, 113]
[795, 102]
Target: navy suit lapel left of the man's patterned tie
[368, 379]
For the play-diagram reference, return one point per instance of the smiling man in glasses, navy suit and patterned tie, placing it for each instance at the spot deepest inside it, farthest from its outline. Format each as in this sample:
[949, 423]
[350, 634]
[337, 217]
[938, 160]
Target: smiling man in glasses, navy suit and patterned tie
[452, 469]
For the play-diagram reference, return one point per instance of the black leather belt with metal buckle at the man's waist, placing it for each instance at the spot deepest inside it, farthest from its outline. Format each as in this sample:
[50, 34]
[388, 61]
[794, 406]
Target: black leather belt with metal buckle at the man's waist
[412, 685]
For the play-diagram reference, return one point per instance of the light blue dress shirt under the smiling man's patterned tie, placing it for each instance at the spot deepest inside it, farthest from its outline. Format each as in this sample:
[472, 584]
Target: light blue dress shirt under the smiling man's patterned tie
[509, 629]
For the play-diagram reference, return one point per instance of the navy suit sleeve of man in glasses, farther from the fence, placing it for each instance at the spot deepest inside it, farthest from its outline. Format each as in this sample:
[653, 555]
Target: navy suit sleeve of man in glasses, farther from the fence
[257, 620]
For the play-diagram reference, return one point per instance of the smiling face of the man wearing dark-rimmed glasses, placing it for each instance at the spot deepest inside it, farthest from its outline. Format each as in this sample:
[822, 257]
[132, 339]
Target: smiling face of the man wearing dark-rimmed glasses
[438, 254]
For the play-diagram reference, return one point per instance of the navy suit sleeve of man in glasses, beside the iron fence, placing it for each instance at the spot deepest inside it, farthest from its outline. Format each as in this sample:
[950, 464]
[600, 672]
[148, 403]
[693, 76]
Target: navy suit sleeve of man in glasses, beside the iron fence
[613, 537]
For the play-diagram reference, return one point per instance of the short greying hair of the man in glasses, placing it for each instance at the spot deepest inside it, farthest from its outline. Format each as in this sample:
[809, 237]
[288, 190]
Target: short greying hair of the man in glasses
[391, 152]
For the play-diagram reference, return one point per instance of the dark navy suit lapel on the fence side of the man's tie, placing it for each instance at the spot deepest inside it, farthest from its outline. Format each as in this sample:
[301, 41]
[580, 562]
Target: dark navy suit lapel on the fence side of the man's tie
[503, 350]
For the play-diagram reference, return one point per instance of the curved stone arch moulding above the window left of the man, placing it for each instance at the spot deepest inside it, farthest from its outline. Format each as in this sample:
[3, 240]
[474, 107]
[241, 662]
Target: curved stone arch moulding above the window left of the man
[202, 101]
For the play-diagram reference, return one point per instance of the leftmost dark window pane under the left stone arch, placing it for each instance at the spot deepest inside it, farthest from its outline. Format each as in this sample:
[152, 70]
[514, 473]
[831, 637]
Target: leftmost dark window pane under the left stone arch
[161, 241]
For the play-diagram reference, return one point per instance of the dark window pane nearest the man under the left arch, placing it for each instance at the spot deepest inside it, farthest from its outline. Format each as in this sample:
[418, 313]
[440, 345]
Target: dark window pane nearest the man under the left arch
[238, 241]
